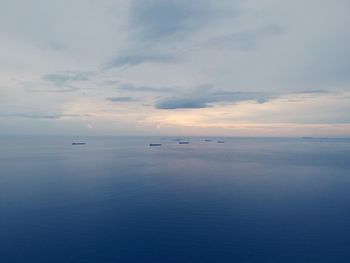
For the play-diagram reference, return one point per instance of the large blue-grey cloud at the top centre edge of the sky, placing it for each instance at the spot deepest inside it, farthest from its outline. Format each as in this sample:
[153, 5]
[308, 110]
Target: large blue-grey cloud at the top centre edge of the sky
[154, 24]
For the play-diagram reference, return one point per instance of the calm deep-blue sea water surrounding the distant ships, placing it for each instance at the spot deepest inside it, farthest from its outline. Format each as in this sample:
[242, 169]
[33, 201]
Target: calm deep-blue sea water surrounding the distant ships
[119, 200]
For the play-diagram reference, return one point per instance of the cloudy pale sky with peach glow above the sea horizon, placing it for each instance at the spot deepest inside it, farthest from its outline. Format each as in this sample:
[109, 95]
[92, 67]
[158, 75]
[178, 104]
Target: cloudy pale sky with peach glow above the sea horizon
[175, 67]
